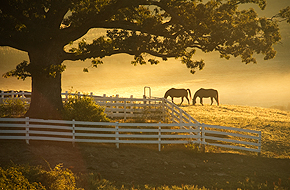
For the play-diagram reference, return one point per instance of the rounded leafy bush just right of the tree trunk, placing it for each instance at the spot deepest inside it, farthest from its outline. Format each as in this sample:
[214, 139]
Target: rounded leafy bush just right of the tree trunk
[83, 108]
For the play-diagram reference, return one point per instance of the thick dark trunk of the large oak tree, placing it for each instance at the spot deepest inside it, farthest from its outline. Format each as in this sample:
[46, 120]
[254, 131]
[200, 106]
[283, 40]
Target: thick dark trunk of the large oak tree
[46, 102]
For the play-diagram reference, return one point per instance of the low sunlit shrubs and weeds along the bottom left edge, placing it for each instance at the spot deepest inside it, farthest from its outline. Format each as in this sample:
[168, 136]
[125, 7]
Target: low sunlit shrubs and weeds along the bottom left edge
[23, 177]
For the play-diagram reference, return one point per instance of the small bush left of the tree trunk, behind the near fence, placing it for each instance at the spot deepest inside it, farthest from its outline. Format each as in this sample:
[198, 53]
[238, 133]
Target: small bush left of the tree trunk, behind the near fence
[13, 107]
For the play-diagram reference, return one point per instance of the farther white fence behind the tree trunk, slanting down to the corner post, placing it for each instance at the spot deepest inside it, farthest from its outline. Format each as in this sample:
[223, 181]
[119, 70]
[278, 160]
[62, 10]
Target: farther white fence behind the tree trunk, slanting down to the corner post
[118, 107]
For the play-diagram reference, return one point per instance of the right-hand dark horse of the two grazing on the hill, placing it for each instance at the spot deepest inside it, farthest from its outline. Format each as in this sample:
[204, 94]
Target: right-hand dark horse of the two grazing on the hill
[206, 93]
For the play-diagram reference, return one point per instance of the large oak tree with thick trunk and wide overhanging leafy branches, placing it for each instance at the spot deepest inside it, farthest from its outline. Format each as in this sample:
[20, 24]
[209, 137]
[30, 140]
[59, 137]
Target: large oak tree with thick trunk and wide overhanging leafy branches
[160, 28]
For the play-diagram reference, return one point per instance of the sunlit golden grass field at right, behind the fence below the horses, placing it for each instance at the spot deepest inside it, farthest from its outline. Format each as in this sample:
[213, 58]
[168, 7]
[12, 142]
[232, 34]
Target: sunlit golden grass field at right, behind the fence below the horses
[274, 124]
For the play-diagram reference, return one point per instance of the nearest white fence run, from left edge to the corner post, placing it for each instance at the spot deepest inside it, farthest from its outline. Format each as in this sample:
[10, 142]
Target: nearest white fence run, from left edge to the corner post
[98, 132]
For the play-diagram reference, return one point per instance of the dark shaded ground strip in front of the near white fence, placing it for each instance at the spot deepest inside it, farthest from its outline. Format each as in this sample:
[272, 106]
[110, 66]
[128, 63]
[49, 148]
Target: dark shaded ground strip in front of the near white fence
[140, 164]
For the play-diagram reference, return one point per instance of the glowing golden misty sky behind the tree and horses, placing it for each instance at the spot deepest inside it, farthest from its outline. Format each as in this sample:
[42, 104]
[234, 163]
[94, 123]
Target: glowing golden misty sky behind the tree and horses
[264, 84]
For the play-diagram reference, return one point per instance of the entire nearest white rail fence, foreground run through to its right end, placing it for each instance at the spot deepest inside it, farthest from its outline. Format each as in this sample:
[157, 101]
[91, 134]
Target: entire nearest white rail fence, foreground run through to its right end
[132, 133]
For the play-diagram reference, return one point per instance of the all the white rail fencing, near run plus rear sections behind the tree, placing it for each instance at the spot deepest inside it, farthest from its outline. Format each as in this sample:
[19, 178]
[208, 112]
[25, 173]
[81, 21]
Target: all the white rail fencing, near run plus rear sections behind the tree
[184, 129]
